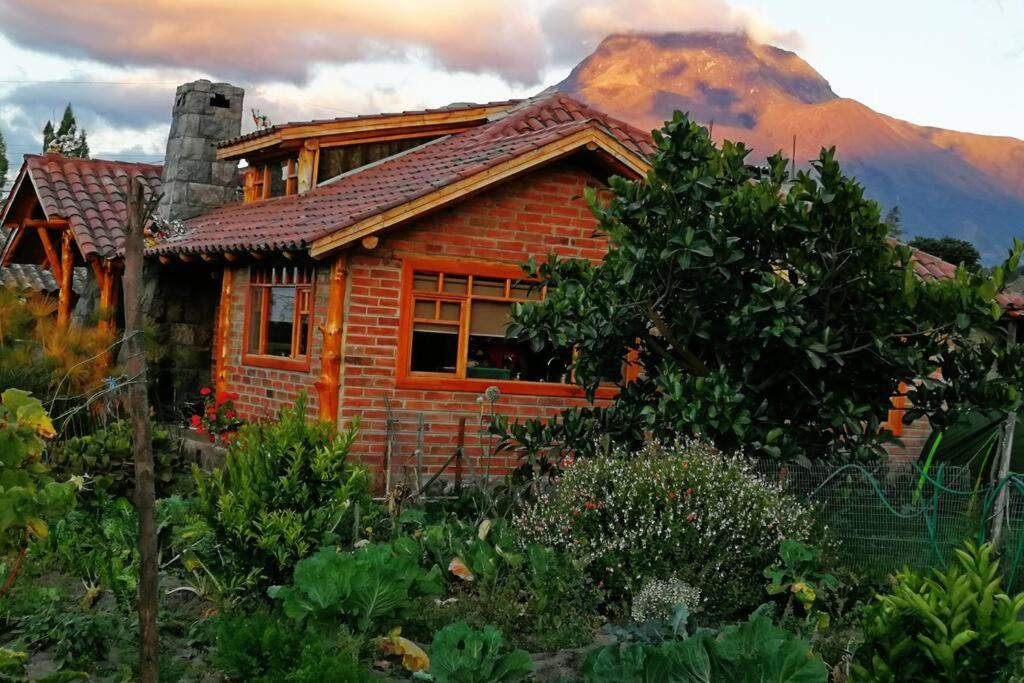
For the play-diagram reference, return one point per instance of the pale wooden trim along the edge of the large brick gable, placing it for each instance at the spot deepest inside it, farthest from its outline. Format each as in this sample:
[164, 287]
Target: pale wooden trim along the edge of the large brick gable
[590, 139]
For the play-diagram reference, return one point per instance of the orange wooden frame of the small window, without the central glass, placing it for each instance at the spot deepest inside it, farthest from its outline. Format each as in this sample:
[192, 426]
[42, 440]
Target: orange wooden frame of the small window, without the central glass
[304, 280]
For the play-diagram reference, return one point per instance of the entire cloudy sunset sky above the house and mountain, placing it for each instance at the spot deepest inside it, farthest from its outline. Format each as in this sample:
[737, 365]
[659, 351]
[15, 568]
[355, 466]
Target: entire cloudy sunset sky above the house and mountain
[954, 64]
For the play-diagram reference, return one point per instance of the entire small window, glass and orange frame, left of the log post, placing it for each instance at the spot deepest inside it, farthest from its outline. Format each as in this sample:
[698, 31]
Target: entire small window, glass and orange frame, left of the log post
[279, 317]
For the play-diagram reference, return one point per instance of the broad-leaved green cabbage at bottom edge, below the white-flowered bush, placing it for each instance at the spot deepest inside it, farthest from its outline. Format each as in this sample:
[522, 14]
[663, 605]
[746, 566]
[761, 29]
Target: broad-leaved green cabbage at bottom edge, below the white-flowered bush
[753, 651]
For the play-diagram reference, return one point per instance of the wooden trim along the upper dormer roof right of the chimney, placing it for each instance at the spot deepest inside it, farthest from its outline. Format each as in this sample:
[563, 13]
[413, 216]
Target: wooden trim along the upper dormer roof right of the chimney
[414, 122]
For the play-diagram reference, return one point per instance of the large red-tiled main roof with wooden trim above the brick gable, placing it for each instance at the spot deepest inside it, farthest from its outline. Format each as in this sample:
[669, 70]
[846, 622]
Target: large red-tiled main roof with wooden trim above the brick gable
[554, 123]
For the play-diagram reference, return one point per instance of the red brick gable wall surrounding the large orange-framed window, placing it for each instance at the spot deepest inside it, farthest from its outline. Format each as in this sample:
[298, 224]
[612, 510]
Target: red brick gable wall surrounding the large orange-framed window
[531, 217]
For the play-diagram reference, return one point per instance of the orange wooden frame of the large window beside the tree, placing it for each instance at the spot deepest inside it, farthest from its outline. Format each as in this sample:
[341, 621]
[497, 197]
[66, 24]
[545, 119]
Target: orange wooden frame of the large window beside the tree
[406, 378]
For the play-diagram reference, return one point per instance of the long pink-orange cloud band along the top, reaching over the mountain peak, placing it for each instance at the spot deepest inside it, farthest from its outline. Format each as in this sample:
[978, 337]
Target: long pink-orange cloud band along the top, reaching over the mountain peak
[263, 41]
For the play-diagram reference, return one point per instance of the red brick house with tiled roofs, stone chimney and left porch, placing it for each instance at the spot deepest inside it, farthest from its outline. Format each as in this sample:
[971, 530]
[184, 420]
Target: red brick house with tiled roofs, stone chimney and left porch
[370, 262]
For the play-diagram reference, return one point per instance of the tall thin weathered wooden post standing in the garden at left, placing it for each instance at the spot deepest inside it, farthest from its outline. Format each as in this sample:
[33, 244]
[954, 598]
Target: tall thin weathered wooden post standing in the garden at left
[139, 406]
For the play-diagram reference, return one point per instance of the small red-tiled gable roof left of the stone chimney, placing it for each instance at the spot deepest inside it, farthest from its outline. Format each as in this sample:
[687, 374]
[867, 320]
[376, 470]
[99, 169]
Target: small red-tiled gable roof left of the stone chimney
[89, 193]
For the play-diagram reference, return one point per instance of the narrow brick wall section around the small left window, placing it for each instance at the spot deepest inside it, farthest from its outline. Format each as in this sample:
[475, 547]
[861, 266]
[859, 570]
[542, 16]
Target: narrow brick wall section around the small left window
[264, 392]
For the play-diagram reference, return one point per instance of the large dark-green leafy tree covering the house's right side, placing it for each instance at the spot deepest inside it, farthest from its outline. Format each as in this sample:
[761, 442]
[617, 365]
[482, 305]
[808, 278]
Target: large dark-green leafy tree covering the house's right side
[766, 312]
